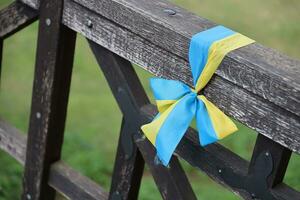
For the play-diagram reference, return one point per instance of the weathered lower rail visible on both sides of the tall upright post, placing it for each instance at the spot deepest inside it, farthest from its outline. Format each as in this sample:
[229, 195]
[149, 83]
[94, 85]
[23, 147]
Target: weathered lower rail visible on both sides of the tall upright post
[62, 177]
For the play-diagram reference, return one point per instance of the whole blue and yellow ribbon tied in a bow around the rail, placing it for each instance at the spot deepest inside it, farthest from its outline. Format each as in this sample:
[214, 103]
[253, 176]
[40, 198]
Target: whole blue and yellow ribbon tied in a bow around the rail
[178, 104]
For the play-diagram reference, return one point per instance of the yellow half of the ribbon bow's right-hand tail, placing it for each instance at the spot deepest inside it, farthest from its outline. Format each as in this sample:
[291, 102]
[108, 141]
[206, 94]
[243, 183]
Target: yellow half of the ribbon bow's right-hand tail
[221, 123]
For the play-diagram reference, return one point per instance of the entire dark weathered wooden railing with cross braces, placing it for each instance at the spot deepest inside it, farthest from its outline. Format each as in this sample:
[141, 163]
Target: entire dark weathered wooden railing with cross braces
[255, 85]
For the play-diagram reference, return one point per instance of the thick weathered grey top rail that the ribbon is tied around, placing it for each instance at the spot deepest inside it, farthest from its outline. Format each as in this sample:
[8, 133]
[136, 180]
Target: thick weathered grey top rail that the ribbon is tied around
[262, 88]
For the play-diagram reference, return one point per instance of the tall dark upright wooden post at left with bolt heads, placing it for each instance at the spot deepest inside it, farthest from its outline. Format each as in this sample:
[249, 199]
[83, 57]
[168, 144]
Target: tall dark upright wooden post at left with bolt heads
[52, 79]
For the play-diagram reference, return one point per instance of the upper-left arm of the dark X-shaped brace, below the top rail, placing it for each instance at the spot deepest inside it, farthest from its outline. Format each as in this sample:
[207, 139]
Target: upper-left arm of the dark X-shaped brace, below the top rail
[122, 80]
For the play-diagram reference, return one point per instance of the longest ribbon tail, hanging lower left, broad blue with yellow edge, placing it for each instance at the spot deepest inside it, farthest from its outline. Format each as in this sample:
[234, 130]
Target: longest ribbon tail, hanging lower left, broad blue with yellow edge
[167, 130]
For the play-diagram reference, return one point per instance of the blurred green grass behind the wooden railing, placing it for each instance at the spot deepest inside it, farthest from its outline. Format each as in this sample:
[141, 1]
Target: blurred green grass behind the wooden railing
[93, 120]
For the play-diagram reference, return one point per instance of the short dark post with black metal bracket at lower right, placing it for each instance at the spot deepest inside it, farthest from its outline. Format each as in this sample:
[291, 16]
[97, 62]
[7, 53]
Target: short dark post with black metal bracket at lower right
[266, 170]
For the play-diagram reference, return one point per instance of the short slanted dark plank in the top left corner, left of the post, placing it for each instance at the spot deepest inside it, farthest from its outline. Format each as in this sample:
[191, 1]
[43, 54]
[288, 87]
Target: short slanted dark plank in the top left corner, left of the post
[15, 17]
